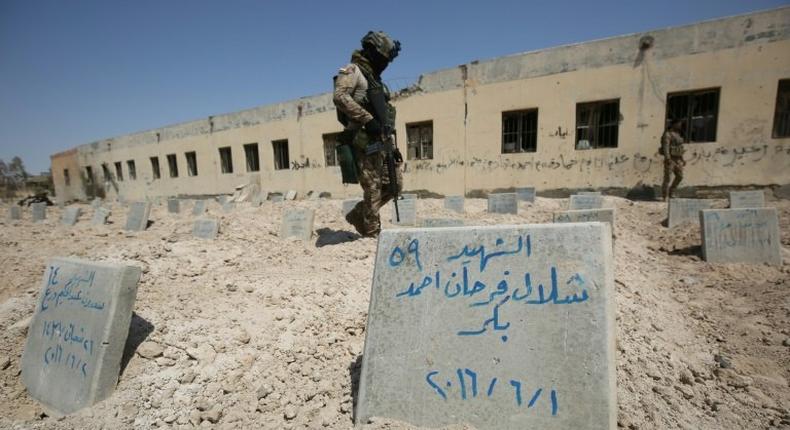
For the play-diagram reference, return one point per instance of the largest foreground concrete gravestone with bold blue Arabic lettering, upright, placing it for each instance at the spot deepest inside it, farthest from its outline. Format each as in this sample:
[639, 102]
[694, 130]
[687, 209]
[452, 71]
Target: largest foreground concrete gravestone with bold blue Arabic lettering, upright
[501, 327]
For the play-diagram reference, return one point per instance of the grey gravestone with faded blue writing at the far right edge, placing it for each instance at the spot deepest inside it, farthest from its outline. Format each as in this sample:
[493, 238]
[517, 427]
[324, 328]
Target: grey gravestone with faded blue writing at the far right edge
[748, 235]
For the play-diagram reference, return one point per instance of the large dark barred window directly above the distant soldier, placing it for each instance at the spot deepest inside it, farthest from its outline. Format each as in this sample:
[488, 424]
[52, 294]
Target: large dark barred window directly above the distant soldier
[695, 108]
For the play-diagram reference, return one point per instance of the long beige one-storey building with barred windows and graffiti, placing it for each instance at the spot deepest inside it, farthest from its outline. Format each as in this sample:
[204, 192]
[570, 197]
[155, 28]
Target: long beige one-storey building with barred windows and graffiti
[588, 115]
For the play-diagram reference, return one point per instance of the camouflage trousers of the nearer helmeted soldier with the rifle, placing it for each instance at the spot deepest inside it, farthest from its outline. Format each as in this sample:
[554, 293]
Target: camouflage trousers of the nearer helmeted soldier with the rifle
[375, 183]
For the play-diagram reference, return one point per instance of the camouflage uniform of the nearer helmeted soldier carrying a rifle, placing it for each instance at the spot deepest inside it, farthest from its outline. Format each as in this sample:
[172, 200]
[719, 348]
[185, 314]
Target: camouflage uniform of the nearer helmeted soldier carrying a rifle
[350, 95]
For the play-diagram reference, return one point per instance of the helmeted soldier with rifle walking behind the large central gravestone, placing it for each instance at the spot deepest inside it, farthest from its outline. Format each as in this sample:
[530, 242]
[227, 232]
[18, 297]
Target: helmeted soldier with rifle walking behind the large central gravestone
[363, 107]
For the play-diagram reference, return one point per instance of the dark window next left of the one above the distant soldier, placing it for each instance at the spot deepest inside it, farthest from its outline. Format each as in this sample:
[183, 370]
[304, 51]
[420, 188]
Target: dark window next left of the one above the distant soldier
[599, 122]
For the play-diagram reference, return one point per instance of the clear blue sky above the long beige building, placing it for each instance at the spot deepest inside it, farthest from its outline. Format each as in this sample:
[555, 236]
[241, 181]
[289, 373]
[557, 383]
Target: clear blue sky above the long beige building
[73, 72]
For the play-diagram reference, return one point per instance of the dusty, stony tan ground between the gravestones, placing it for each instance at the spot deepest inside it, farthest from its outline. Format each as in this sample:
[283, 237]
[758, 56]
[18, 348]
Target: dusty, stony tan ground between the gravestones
[252, 331]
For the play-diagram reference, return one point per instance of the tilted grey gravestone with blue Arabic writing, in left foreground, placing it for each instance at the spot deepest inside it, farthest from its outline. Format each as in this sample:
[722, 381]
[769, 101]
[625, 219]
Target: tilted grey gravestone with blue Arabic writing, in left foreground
[78, 332]
